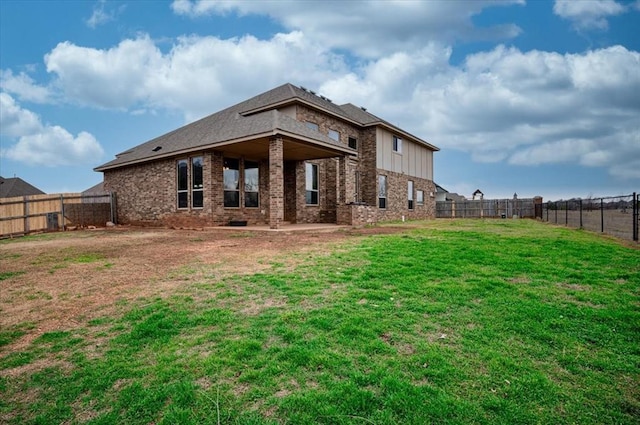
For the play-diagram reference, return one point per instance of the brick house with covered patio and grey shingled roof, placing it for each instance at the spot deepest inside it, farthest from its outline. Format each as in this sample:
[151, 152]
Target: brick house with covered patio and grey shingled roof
[286, 155]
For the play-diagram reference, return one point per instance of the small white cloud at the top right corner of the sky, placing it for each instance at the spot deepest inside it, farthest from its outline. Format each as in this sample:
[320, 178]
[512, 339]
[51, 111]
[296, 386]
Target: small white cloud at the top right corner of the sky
[587, 15]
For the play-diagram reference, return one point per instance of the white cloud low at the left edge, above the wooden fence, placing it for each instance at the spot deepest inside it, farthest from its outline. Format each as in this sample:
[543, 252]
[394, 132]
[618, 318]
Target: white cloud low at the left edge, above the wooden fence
[40, 144]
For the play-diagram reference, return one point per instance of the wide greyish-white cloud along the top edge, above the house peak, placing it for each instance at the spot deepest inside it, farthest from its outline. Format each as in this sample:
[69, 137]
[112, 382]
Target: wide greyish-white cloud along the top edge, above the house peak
[370, 28]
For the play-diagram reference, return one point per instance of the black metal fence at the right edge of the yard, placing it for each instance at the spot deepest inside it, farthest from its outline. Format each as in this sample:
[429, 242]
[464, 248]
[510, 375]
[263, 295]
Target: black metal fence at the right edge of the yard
[615, 215]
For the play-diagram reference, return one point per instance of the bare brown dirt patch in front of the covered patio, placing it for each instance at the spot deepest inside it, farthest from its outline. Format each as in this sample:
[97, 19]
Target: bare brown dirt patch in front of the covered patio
[61, 281]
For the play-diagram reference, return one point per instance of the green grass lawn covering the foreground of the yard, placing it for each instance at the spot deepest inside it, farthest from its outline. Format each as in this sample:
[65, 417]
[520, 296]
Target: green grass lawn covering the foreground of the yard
[447, 322]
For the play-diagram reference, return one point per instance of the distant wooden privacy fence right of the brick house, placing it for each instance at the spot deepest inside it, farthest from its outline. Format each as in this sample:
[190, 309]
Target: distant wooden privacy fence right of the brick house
[490, 208]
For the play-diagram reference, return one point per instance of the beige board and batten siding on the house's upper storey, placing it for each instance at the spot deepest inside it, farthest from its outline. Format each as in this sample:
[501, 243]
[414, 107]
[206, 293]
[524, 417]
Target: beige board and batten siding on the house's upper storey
[415, 160]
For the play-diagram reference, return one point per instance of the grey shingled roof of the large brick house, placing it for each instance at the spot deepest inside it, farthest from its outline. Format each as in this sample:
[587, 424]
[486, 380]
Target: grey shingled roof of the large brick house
[251, 119]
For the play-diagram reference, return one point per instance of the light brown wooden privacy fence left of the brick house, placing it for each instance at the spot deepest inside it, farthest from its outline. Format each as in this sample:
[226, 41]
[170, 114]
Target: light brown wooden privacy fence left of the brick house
[37, 213]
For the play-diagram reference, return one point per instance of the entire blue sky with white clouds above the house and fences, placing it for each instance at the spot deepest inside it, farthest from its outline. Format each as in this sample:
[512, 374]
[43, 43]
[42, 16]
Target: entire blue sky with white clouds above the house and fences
[528, 97]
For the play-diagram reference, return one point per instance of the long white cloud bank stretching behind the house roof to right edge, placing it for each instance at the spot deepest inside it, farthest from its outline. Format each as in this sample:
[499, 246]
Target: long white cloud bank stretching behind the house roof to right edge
[501, 105]
